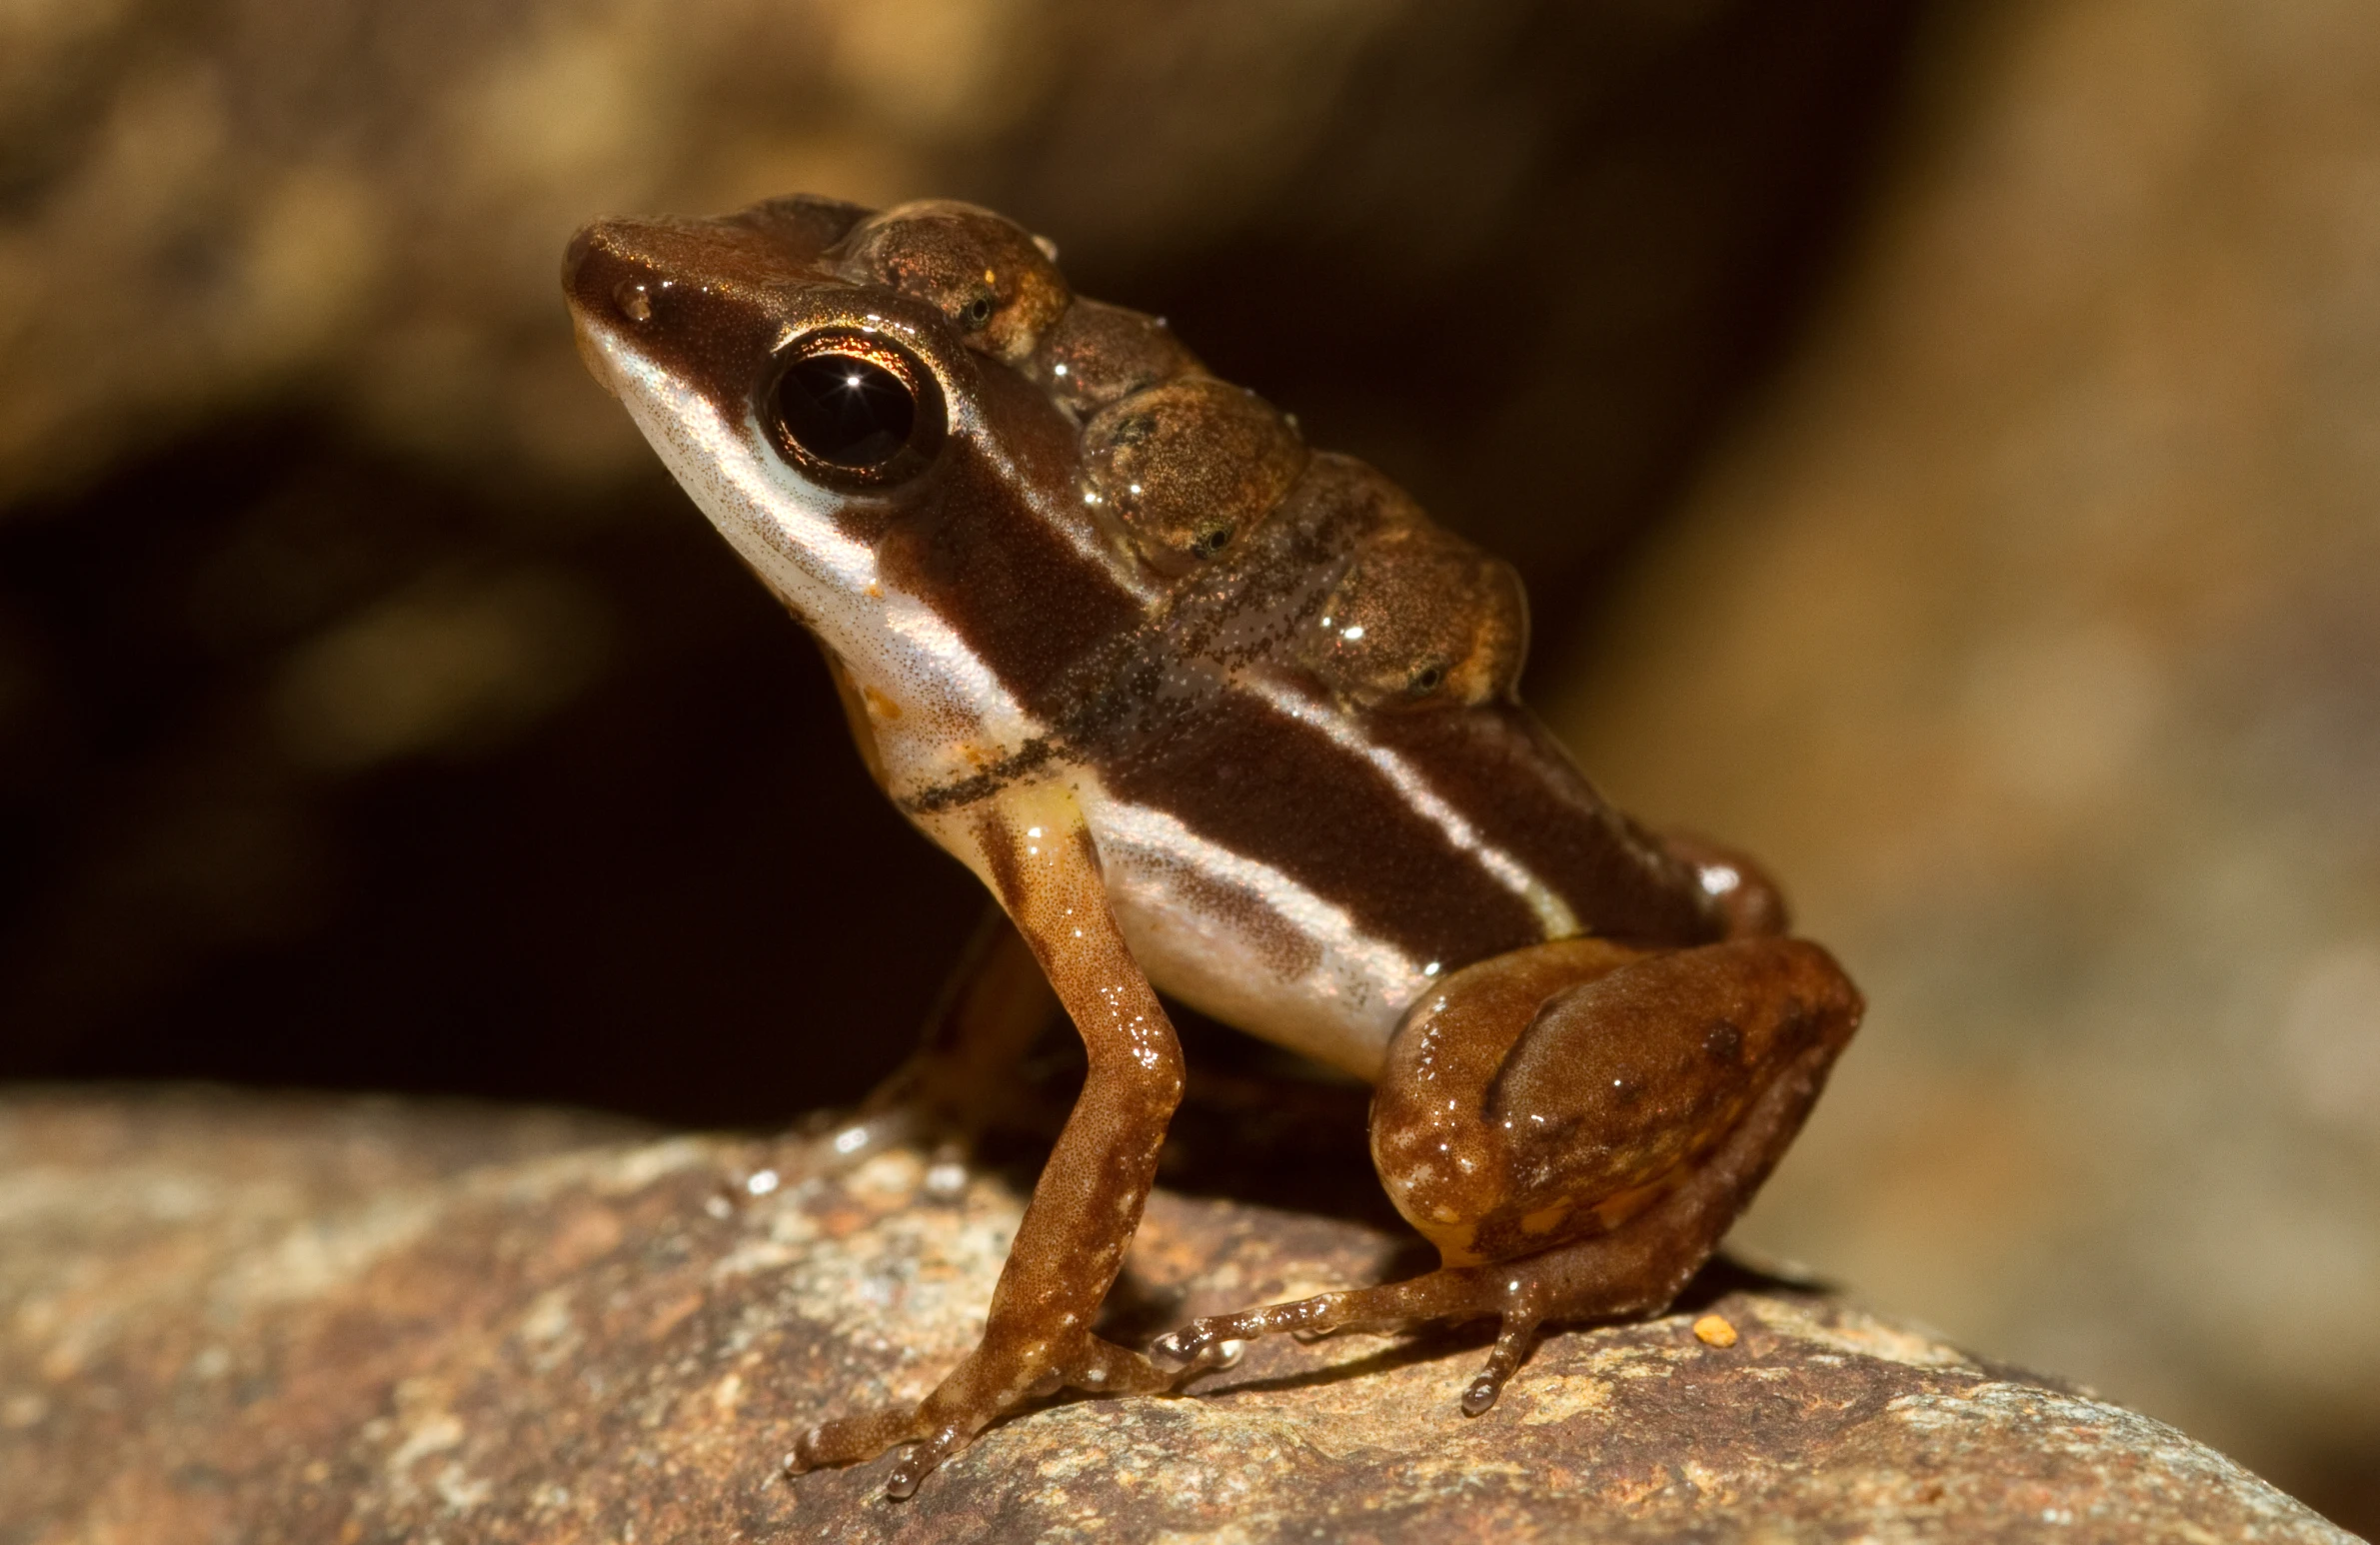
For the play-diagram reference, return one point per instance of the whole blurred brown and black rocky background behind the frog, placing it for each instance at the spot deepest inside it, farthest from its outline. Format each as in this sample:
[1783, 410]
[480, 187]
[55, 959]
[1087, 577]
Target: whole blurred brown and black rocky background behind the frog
[1943, 444]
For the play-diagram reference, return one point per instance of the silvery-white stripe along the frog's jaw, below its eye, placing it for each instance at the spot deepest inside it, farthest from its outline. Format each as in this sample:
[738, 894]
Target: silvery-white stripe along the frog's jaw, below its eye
[784, 527]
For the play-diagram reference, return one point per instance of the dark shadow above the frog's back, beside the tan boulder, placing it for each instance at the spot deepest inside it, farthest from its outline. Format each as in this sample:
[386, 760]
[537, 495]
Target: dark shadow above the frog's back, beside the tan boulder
[1541, 349]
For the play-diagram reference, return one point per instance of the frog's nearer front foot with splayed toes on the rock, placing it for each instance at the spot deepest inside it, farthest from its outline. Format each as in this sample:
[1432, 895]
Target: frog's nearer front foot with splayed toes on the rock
[991, 1384]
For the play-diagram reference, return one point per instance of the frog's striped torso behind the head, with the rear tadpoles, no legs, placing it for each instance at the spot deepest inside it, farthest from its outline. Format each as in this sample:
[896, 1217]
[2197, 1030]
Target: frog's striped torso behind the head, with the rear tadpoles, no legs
[1317, 789]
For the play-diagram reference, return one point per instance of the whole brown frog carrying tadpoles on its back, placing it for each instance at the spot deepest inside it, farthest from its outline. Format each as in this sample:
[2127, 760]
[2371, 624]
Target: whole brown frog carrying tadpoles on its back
[1229, 718]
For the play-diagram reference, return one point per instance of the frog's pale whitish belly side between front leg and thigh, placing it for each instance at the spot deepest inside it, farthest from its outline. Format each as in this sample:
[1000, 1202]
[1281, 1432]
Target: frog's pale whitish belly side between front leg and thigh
[1251, 946]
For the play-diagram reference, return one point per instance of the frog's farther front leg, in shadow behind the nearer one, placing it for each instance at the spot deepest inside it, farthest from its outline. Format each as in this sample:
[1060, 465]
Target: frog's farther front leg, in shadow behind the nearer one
[963, 1077]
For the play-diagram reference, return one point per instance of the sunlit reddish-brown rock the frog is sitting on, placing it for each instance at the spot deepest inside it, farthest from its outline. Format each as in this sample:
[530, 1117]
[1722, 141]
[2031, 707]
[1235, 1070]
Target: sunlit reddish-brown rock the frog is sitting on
[334, 1320]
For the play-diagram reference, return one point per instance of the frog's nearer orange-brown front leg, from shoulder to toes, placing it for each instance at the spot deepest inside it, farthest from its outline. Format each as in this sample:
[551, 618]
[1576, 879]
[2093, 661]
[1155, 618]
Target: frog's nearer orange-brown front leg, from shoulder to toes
[1086, 1206]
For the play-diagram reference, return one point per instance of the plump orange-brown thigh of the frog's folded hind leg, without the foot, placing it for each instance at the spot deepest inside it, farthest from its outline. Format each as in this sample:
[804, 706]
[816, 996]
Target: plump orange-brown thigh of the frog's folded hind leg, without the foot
[1560, 1091]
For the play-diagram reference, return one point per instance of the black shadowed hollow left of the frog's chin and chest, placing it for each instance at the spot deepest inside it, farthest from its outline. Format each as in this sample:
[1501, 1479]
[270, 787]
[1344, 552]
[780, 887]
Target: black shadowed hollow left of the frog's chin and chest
[672, 892]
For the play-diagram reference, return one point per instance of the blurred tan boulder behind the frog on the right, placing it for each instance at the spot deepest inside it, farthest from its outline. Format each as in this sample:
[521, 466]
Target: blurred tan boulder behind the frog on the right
[2031, 632]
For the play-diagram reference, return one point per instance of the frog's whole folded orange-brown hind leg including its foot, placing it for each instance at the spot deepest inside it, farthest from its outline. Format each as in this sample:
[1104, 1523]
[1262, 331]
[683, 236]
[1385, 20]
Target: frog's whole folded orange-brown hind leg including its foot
[1577, 1127]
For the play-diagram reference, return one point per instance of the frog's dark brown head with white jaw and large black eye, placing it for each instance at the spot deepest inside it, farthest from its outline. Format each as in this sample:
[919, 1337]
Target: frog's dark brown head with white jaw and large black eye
[884, 415]
